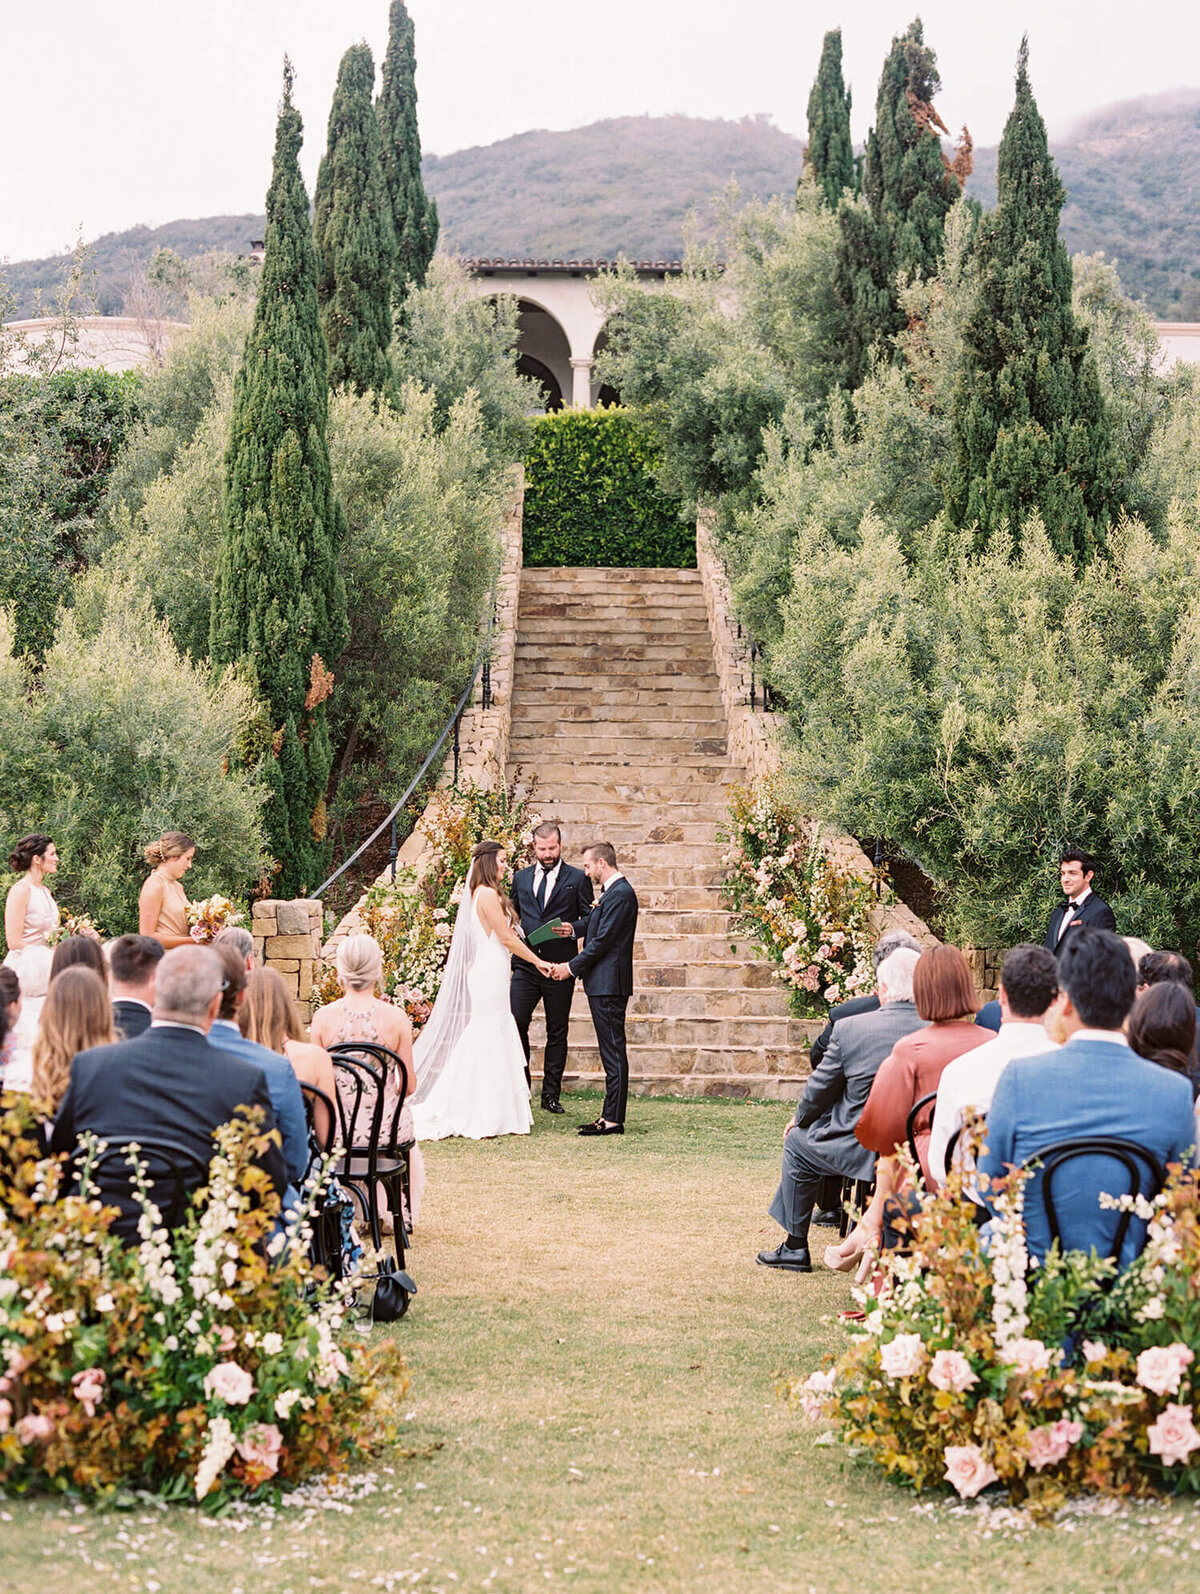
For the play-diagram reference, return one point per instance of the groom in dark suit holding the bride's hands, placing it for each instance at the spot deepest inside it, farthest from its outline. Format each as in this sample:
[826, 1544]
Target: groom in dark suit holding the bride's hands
[606, 965]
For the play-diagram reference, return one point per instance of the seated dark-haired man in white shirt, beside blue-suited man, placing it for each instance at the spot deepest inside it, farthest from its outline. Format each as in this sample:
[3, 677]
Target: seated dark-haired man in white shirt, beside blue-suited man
[1029, 987]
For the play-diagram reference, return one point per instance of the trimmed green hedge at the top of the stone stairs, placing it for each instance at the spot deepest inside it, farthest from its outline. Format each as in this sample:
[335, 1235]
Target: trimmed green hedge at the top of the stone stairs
[590, 495]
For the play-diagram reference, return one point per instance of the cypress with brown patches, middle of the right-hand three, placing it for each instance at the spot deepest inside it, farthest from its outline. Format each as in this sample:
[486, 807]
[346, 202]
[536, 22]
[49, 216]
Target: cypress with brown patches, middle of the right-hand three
[909, 190]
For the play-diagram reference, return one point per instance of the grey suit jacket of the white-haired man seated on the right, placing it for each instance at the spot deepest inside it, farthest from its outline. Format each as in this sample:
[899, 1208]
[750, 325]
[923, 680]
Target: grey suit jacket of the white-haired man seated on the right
[837, 1091]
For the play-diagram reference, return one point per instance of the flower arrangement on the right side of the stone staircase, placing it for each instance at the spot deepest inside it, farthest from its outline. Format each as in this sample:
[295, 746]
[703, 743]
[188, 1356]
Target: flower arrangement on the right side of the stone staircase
[810, 917]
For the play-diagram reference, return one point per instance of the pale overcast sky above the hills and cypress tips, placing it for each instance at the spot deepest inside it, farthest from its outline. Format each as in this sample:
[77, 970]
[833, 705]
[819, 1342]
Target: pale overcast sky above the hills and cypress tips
[147, 111]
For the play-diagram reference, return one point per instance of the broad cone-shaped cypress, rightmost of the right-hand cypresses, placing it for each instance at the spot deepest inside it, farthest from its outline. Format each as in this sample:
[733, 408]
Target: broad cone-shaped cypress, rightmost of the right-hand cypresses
[1030, 425]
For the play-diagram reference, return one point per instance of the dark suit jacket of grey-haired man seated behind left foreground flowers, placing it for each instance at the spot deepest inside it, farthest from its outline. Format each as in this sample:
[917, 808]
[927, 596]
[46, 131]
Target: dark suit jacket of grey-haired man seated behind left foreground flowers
[167, 1086]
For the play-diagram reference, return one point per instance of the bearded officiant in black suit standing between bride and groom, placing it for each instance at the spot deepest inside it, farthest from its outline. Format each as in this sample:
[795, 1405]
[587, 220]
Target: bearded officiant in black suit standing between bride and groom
[549, 889]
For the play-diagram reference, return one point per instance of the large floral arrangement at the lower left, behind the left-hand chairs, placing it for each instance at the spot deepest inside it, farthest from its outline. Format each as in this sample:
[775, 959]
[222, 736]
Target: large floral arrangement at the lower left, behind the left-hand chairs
[198, 1364]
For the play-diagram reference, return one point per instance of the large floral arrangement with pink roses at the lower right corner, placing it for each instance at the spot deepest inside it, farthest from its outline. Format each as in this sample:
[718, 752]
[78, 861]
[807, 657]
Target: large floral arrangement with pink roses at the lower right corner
[973, 1368]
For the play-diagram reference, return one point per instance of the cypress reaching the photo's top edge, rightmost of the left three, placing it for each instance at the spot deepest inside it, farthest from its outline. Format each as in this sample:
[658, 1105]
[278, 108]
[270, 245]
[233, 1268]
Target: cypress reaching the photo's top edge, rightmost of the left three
[415, 218]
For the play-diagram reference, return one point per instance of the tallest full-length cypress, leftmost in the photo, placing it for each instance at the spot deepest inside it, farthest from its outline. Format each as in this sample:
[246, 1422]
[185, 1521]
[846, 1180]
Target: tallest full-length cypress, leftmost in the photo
[278, 599]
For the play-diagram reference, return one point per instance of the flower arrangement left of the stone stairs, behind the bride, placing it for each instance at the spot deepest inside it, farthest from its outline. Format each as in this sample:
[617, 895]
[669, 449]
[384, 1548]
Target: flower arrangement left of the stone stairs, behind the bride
[414, 919]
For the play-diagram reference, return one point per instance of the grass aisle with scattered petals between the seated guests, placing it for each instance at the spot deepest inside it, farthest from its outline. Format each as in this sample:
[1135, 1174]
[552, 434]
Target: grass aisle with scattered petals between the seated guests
[594, 1351]
